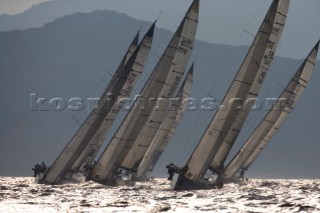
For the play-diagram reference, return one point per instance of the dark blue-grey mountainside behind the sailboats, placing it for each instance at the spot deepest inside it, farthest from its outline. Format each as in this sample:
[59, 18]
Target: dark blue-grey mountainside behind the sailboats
[74, 56]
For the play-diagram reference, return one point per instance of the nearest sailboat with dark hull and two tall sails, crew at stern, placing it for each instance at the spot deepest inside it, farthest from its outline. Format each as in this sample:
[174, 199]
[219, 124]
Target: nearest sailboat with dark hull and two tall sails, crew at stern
[225, 126]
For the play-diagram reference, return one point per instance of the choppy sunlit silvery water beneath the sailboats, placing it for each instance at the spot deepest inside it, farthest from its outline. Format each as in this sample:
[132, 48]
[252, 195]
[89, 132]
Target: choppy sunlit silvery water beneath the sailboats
[22, 195]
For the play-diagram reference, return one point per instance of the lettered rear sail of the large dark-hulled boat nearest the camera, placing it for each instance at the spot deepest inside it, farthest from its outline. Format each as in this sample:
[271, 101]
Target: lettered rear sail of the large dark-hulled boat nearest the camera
[277, 16]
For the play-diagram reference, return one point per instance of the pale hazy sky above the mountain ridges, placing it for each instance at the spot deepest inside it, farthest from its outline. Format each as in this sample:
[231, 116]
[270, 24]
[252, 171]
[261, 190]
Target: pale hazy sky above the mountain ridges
[221, 21]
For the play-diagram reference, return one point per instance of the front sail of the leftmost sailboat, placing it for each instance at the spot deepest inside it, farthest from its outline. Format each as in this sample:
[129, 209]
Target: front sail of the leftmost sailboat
[78, 143]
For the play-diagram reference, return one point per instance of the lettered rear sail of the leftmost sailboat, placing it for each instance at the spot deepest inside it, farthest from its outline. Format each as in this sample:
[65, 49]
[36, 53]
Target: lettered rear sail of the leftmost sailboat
[89, 153]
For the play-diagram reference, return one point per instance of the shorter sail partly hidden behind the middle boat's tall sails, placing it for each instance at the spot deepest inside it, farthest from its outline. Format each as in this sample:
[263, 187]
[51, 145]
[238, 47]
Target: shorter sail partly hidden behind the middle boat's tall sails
[167, 128]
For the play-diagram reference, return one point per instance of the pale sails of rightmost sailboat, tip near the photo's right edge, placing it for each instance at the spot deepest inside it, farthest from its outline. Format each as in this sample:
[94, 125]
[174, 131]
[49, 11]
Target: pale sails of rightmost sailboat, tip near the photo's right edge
[274, 118]
